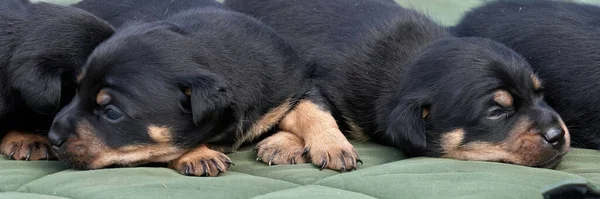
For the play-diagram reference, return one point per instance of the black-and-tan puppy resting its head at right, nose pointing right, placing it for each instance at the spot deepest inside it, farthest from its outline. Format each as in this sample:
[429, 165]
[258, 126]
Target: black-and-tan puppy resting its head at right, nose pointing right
[400, 79]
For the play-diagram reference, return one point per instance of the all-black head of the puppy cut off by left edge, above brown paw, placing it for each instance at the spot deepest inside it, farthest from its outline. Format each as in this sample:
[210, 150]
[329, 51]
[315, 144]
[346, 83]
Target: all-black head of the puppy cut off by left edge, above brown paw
[50, 45]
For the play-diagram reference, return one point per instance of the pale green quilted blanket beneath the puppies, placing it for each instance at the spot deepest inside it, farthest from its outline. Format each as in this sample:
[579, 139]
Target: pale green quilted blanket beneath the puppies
[386, 173]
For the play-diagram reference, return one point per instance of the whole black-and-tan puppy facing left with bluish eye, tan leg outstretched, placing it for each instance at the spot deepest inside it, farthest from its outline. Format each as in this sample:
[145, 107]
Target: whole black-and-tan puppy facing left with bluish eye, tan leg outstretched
[186, 90]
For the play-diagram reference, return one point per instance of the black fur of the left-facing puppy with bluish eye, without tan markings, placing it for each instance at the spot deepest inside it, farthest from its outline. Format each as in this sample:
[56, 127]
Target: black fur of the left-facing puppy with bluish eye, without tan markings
[236, 68]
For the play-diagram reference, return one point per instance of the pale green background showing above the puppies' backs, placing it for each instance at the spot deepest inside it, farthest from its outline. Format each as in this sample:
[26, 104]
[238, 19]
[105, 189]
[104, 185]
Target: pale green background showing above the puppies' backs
[446, 12]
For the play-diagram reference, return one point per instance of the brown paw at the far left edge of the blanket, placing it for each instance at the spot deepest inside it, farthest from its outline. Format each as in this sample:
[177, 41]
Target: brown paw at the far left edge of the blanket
[26, 146]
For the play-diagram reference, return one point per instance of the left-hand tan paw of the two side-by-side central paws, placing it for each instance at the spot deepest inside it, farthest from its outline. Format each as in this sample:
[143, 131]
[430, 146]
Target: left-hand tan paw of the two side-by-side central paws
[281, 148]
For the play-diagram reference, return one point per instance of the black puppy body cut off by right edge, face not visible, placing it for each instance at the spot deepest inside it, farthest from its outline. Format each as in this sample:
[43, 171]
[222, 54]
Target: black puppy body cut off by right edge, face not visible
[560, 40]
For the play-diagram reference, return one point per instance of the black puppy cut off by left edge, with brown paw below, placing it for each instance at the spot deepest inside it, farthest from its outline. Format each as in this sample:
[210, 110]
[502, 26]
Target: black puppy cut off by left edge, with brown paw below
[42, 49]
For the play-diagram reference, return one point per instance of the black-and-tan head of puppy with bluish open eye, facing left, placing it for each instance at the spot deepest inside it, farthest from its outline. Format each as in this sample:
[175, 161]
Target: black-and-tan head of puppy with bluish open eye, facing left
[141, 98]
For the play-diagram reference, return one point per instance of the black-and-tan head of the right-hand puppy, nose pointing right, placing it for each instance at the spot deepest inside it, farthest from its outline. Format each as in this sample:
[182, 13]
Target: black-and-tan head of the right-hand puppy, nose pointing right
[475, 99]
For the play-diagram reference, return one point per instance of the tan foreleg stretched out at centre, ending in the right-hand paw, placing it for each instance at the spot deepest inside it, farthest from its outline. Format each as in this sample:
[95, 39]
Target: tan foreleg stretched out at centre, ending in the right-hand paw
[325, 143]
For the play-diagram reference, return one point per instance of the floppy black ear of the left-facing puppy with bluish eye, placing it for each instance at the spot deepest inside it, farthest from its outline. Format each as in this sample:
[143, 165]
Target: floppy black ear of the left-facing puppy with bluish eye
[210, 97]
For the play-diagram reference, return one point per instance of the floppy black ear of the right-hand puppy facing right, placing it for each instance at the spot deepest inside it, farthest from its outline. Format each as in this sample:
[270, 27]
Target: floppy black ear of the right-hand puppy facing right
[406, 126]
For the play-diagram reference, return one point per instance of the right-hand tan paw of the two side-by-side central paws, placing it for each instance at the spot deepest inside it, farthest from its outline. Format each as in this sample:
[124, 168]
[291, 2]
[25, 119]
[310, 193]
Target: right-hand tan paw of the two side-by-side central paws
[334, 154]
